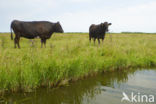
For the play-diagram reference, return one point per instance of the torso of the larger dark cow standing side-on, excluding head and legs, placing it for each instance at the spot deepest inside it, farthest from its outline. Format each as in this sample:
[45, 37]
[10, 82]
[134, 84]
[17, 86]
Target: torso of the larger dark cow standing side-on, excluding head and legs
[32, 29]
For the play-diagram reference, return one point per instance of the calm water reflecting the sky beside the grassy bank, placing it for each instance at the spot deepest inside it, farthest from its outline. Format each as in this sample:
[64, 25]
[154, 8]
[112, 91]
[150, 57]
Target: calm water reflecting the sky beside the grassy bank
[102, 89]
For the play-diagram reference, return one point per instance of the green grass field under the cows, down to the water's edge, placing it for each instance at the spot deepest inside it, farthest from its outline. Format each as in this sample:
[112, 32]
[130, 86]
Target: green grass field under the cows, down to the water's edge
[70, 56]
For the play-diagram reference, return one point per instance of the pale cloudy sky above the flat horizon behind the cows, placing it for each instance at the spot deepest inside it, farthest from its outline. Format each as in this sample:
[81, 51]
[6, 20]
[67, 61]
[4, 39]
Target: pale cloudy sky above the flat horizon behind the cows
[78, 15]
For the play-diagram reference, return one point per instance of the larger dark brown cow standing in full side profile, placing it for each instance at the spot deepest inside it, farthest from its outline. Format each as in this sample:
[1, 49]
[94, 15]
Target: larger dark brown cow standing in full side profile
[31, 30]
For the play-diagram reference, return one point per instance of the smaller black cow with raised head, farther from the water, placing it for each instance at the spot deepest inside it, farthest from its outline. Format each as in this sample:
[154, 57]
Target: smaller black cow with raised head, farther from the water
[98, 31]
